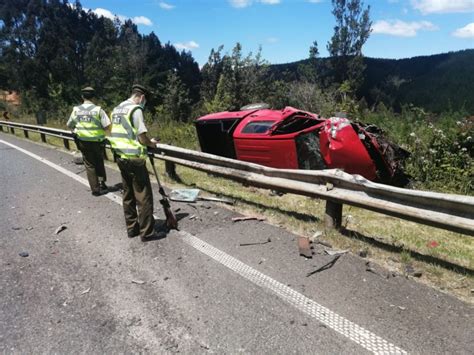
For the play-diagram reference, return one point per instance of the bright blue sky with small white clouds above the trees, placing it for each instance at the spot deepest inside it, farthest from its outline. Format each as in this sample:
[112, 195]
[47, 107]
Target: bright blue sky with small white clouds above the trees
[286, 28]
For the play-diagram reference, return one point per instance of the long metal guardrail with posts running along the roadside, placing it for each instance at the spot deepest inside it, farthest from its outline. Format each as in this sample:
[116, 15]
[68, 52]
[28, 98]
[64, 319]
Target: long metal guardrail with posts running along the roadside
[446, 211]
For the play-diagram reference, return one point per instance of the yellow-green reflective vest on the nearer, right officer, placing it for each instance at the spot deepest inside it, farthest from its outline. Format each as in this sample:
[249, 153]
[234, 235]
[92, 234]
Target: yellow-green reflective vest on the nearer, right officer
[123, 137]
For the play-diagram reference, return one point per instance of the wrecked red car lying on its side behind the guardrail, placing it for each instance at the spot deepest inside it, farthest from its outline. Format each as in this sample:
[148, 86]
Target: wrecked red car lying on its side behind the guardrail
[295, 139]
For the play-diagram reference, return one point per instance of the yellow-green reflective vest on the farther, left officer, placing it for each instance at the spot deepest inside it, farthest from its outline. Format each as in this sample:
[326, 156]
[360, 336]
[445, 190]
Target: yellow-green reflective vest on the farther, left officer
[88, 126]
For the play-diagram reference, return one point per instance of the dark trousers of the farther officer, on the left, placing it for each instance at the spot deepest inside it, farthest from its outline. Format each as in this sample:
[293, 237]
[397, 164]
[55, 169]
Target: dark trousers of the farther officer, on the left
[93, 154]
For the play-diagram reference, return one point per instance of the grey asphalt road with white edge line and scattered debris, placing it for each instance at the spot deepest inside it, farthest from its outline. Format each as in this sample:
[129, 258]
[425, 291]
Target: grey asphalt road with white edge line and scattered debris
[90, 289]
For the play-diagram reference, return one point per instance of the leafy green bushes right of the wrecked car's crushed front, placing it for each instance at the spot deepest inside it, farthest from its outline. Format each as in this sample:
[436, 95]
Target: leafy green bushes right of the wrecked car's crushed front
[441, 147]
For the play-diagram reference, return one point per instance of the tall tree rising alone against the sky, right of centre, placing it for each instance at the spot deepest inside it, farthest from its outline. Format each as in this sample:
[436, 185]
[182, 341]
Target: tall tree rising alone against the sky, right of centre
[353, 27]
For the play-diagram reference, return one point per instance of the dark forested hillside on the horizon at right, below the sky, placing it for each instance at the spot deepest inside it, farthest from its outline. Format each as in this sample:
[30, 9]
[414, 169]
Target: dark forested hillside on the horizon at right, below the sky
[437, 83]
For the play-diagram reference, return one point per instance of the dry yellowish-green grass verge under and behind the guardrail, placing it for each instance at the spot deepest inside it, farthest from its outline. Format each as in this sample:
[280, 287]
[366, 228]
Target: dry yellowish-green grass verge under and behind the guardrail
[391, 242]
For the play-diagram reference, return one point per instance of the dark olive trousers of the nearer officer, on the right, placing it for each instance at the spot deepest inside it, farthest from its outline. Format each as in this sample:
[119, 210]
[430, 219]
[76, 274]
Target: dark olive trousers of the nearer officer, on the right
[137, 195]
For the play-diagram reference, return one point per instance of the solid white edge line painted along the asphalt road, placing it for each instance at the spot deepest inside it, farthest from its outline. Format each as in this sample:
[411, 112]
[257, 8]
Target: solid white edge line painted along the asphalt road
[350, 330]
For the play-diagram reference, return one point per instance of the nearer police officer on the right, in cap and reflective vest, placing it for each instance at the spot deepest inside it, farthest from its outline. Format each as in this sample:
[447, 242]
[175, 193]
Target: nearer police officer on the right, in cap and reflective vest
[129, 142]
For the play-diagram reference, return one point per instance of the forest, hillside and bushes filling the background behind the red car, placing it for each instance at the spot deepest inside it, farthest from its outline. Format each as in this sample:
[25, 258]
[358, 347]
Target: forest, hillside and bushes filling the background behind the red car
[50, 49]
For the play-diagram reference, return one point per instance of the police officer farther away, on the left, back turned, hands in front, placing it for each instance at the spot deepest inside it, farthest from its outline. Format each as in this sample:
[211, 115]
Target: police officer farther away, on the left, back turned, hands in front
[89, 123]
